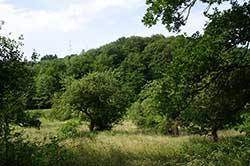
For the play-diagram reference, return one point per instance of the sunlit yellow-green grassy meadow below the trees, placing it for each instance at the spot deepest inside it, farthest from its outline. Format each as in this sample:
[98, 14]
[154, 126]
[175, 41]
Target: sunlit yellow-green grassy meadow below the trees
[128, 145]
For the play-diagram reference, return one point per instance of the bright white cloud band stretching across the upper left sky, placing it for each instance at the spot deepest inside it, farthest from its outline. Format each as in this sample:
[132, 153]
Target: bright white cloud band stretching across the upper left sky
[75, 16]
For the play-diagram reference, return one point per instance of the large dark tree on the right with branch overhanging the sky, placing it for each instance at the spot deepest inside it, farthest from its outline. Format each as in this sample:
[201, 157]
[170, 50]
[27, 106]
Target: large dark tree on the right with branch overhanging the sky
[215, 66]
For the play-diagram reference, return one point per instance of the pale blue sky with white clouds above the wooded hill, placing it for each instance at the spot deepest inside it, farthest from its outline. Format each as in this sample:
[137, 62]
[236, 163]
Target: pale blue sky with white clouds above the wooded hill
[65, 27]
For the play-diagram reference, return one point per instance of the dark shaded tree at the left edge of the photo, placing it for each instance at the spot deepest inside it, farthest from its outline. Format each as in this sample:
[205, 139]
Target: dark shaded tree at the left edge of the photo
[14, 84]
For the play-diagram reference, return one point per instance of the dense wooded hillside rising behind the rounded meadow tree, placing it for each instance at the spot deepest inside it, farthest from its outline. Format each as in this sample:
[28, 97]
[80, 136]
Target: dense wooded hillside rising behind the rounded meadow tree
[137, 59]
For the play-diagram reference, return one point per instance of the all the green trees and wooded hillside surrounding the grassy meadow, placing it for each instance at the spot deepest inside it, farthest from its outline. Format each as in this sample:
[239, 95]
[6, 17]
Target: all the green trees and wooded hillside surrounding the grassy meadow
[173, 86]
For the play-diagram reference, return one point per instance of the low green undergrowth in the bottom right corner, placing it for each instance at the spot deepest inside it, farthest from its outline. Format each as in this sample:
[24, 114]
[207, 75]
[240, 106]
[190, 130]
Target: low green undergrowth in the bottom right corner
[230, 151]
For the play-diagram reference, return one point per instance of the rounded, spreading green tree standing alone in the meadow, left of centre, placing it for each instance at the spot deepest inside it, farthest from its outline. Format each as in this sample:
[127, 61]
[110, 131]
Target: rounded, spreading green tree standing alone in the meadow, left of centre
[99, 96]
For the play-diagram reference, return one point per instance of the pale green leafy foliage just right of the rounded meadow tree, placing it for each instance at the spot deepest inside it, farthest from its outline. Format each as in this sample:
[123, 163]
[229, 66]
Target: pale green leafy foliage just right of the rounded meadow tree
[159, 107]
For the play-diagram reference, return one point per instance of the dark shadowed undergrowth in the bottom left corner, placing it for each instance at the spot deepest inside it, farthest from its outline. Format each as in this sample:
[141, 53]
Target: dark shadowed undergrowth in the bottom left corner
[23, 153]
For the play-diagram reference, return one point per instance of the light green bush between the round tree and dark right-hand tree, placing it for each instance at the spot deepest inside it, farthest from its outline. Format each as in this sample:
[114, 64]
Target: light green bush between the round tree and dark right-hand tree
[150, 111]
